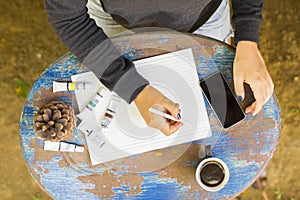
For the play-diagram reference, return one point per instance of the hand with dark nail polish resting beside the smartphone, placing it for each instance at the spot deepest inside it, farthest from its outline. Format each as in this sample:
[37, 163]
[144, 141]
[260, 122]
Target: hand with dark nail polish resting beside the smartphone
[250, 67]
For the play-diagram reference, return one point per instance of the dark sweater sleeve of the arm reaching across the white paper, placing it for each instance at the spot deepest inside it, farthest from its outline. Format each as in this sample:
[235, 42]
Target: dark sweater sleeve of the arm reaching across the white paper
[93, 48]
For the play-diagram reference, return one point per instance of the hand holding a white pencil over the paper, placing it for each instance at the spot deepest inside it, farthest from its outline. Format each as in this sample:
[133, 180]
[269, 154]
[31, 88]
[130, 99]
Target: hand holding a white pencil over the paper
[148, 98]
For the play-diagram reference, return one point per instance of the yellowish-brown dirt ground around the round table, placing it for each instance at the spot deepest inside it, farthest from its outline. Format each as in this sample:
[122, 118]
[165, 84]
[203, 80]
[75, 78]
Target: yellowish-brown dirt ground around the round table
[28, 45]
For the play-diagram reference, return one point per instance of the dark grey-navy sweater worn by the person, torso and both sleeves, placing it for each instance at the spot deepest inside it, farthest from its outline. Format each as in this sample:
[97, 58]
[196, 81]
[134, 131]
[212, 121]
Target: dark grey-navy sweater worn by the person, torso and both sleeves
[93, 48]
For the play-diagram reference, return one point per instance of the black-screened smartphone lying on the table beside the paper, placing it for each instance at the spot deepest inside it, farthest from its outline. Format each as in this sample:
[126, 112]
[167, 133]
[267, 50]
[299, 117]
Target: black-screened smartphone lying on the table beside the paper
[222, 100]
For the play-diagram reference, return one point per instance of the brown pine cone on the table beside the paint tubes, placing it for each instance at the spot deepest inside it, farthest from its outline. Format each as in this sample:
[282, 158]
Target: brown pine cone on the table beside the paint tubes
[54, 121]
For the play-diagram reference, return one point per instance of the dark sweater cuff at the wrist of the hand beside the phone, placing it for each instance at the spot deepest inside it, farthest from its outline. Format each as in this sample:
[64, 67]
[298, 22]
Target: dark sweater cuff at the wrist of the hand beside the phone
[246, 30]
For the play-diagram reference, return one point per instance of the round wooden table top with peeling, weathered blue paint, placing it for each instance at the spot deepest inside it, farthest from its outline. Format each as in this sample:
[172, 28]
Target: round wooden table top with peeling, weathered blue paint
[246, 148]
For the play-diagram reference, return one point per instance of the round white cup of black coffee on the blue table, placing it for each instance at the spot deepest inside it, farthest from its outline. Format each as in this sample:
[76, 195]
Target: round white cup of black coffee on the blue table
[216, 167]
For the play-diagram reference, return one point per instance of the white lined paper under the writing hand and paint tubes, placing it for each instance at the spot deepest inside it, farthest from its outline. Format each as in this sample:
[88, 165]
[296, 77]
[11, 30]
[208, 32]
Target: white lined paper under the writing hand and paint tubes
[174, 74]
